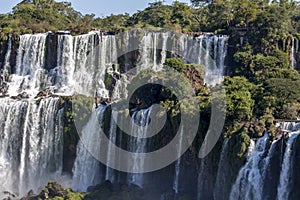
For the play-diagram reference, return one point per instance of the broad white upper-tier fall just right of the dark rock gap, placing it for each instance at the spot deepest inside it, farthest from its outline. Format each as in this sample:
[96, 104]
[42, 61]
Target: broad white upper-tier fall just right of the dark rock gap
[82, 61]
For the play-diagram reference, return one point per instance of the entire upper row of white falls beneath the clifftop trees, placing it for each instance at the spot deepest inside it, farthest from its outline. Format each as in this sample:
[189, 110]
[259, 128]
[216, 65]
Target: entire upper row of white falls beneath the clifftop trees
[83, 60]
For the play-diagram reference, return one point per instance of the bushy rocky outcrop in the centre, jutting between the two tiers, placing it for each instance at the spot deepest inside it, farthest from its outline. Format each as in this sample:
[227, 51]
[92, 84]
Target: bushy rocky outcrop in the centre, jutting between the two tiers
[182, 87]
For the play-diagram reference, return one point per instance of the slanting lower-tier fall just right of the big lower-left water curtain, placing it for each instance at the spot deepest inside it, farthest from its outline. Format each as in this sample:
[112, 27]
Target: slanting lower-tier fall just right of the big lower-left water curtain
[87, 169]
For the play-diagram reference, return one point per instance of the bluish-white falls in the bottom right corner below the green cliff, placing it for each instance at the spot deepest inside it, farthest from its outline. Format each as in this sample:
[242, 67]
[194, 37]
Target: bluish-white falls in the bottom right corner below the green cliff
[258, 177]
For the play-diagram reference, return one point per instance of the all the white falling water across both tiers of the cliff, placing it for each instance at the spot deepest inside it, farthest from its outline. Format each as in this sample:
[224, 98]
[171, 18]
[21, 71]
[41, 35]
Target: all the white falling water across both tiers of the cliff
[31, 131]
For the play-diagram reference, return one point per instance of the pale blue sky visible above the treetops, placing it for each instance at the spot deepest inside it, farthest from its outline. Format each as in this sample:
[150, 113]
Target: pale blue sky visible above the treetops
[98, 7]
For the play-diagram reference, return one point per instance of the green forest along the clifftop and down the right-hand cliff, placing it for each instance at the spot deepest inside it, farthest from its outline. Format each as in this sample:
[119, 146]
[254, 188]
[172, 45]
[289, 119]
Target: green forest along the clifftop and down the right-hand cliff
[261, 83]
